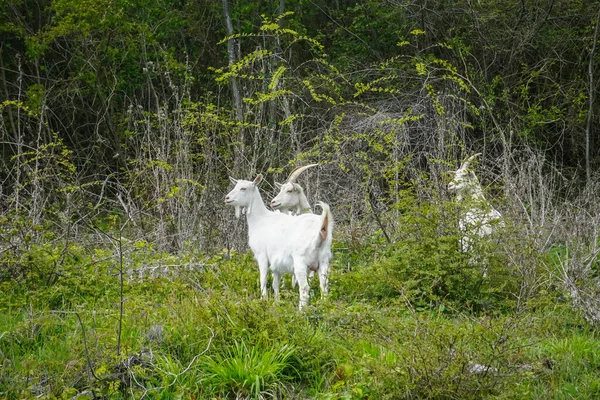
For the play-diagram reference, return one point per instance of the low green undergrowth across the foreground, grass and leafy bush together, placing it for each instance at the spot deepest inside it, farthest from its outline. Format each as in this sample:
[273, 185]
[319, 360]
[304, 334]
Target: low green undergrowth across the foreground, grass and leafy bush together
[412, 319]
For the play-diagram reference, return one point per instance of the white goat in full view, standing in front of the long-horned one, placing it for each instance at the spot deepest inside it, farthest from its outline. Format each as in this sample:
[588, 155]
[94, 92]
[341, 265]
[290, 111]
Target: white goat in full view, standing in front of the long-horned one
[284, 243]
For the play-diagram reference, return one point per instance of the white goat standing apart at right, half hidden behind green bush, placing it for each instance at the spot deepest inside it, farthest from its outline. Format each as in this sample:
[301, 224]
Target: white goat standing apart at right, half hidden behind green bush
[481, 218]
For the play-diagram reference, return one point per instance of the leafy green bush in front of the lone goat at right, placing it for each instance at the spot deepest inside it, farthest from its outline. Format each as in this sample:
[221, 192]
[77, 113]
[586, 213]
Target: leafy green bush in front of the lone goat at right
[426, 268]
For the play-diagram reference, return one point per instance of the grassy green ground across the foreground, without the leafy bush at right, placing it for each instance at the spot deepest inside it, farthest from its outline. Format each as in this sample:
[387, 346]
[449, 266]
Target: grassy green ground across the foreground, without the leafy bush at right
[207, 334]
